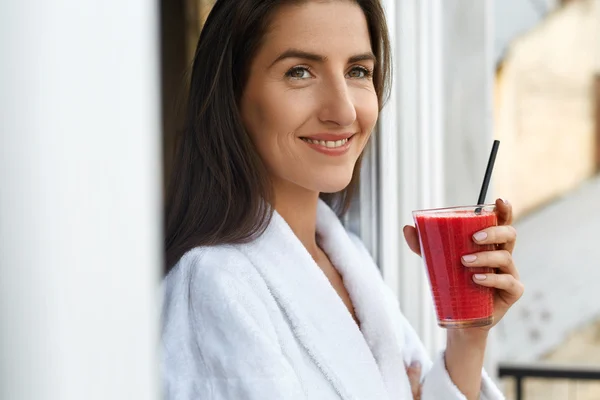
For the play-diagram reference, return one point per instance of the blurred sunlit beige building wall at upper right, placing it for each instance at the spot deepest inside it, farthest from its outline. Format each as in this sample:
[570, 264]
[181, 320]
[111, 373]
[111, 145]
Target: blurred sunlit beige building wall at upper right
[545, 107]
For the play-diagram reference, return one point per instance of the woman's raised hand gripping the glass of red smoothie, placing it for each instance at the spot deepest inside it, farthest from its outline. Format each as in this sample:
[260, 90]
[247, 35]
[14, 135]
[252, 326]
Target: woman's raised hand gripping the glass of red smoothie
[508, 286]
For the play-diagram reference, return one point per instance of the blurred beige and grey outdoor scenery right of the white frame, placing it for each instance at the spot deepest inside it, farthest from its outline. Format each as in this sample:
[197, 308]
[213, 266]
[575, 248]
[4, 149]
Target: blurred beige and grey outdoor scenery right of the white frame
[547, 111]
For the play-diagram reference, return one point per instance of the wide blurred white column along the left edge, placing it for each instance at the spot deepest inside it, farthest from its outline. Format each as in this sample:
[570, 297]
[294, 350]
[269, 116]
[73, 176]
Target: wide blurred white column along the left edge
[80, 186]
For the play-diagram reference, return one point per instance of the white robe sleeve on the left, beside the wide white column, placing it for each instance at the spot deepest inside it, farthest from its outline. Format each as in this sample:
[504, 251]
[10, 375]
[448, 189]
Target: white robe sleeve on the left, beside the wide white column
[224, 347]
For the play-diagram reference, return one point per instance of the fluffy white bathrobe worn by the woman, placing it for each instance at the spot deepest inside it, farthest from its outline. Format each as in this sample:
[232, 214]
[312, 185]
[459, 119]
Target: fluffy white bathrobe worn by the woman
[261, 321]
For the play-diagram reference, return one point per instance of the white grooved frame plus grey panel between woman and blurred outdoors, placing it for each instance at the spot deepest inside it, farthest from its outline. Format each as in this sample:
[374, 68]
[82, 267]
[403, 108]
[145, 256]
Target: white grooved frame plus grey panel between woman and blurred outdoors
[433, 133]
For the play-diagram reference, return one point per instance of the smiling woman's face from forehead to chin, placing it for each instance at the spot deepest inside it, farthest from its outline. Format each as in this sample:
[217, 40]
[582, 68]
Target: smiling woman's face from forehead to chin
[310, 104]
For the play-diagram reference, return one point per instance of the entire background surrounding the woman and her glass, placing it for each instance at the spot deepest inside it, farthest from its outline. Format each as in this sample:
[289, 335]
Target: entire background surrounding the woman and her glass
[92, 96]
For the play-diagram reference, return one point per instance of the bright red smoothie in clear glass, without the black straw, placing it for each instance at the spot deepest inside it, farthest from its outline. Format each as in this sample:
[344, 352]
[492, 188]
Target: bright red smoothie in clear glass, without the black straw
[446, 236]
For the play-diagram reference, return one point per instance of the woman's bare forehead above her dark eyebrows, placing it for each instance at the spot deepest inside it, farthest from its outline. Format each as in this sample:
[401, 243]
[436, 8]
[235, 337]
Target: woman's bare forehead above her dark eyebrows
[327, 27]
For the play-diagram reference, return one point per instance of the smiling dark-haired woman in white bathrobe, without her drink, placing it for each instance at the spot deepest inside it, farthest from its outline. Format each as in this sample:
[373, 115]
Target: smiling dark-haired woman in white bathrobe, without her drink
[267, 295]
